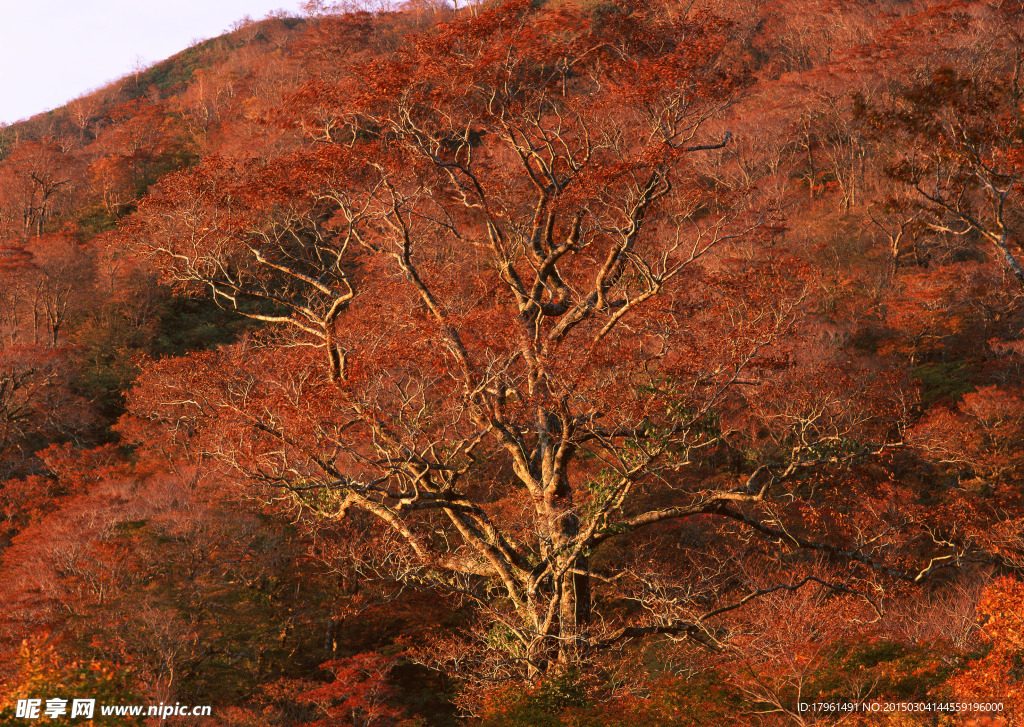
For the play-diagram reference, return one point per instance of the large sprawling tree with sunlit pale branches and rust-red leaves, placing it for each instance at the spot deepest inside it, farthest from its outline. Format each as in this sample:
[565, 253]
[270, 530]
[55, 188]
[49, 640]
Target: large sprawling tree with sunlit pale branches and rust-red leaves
[514, 328]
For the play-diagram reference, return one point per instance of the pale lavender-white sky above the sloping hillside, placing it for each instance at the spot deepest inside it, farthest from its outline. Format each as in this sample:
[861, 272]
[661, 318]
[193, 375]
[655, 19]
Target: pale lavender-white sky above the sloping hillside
[53, 52]
